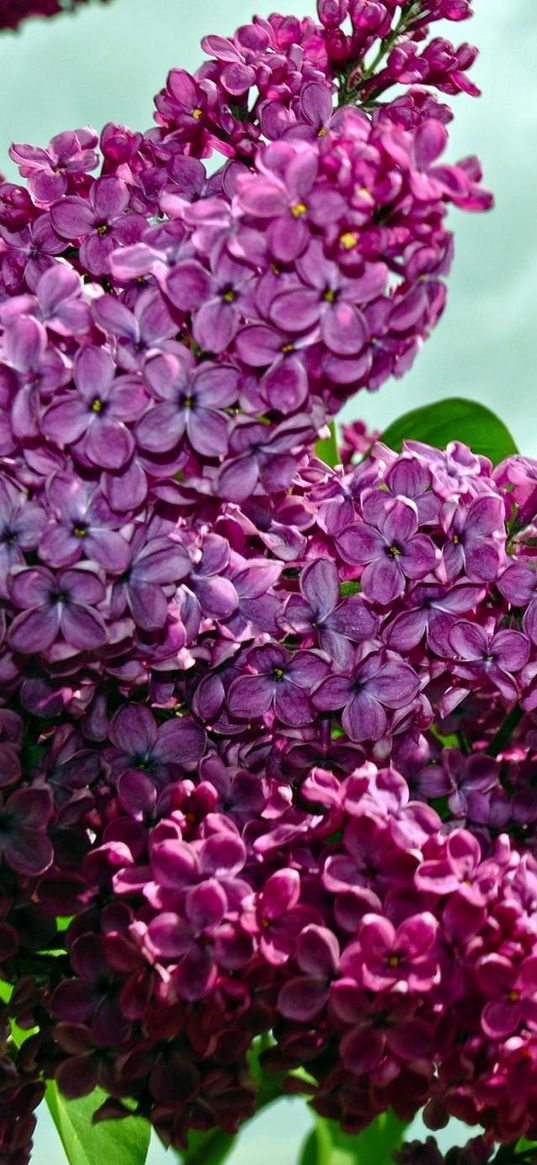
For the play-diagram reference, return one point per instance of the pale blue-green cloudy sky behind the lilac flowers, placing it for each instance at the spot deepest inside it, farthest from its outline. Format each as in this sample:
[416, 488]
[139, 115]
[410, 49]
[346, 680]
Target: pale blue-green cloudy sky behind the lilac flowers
[105, 65]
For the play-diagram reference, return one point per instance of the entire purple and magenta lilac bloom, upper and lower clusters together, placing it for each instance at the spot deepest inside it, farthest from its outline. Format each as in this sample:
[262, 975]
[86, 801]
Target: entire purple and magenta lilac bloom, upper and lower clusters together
[267, 732]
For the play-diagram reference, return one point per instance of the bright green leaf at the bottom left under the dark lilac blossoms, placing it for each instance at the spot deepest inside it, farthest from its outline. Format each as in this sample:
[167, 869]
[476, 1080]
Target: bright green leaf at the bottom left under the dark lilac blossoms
[108, 1143]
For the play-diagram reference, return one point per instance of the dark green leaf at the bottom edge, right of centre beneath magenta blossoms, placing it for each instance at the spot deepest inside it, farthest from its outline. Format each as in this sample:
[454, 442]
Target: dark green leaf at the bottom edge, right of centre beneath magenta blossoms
[329, 1146]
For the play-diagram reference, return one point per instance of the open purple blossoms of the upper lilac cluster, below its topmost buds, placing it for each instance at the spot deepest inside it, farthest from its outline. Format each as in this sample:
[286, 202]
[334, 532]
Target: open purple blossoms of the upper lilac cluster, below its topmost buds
[238, 326]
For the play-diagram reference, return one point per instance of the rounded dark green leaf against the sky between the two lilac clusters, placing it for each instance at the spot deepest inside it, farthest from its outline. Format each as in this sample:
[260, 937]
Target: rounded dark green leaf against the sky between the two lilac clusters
[454, 420]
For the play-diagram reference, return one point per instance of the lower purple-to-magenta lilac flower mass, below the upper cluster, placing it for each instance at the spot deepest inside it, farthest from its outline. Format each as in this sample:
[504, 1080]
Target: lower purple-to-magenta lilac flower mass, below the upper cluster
[248, 808]
